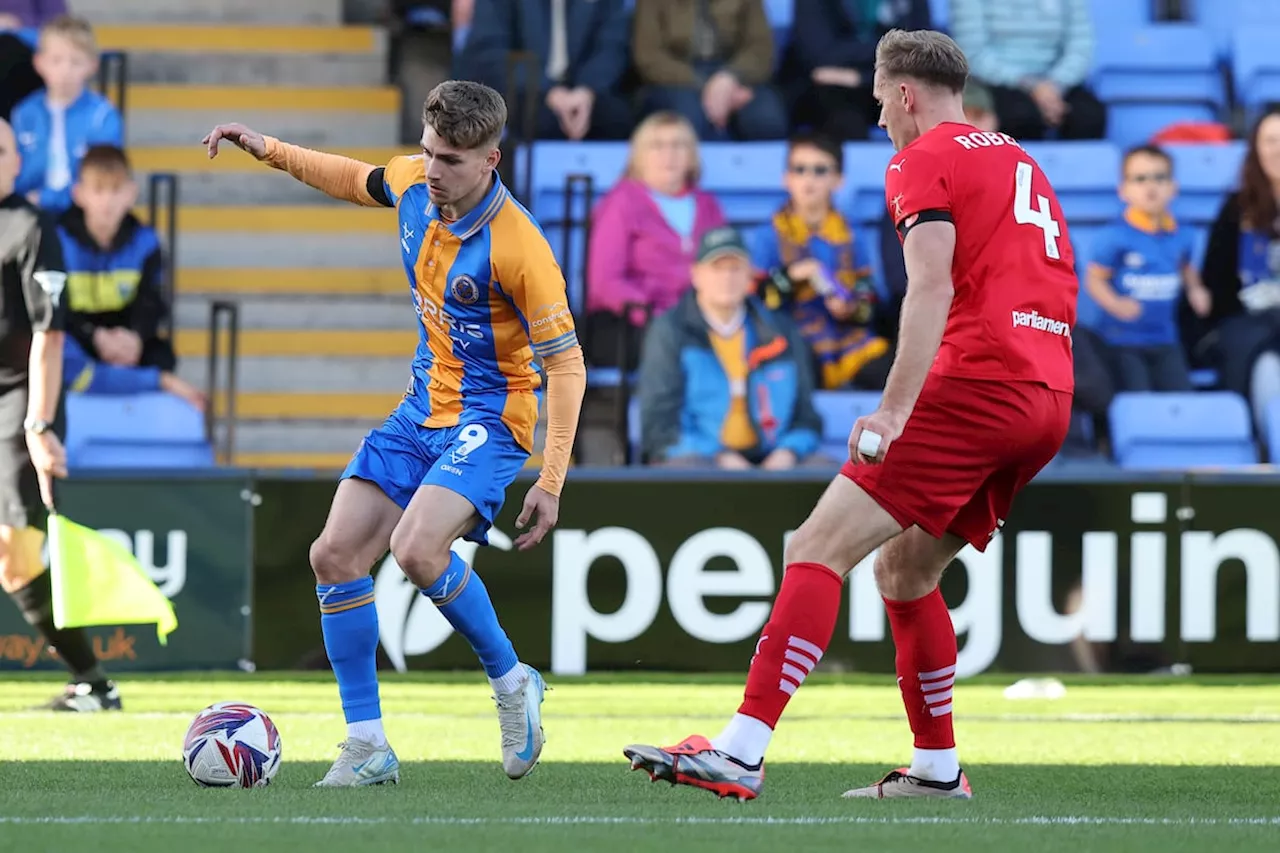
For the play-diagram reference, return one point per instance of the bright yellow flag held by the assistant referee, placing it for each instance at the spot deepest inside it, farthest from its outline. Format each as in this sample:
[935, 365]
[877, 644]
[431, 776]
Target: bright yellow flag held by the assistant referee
[98, 582]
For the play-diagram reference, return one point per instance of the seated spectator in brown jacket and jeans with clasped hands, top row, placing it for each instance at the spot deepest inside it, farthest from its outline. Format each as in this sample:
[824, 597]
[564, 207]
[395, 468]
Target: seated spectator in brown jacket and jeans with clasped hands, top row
[711, 61]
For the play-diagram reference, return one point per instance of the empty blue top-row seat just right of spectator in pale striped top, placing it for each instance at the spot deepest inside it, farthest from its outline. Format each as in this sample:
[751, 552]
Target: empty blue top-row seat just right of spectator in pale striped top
[1151, 77]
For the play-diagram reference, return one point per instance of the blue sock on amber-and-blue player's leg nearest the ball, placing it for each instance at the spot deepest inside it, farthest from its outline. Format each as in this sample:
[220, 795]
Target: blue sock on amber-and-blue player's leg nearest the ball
[350, 623]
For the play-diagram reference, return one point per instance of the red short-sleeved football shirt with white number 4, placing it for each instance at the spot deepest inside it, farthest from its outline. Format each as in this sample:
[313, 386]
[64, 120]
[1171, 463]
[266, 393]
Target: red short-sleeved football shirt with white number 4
[1014, 271]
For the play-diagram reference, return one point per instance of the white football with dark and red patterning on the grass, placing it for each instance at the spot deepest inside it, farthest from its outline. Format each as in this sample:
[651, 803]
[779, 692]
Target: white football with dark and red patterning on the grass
[232, 745]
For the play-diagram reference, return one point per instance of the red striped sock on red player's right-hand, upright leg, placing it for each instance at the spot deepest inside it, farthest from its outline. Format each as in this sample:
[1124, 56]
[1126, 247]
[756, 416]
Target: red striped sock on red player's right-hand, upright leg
[926, 642]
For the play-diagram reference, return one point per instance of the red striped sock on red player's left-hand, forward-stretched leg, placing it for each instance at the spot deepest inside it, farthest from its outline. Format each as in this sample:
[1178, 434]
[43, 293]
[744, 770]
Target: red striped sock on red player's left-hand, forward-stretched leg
[792, 645]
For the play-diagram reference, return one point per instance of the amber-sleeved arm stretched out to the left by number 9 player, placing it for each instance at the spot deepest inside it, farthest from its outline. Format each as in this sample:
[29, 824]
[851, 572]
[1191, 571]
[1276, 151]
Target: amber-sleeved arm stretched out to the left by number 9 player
[332, 175]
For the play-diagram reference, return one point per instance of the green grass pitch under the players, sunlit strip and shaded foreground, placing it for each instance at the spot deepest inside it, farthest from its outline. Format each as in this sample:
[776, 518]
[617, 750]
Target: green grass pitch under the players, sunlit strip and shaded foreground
[1137, 765]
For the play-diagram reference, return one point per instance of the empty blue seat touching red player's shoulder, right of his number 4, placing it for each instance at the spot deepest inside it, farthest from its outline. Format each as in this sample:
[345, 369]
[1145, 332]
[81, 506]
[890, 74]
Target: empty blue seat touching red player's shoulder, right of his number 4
[1085, 177]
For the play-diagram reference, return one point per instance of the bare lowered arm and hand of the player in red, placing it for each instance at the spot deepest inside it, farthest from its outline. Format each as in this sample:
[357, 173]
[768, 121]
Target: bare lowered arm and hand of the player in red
[929, 249]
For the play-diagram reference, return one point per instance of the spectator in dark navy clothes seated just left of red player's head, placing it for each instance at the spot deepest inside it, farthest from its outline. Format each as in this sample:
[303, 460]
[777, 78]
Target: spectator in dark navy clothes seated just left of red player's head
[830, 60]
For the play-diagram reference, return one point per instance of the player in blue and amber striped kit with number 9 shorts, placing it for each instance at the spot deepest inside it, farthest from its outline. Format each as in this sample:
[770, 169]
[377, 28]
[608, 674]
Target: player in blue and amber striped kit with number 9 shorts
[490, 297]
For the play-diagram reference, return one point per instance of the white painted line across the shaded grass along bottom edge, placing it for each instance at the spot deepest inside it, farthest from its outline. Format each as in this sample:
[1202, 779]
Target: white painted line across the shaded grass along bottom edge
[1049, 820]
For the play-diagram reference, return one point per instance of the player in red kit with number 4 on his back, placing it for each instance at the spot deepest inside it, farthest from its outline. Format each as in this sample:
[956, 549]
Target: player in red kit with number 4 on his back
[977, 403]
